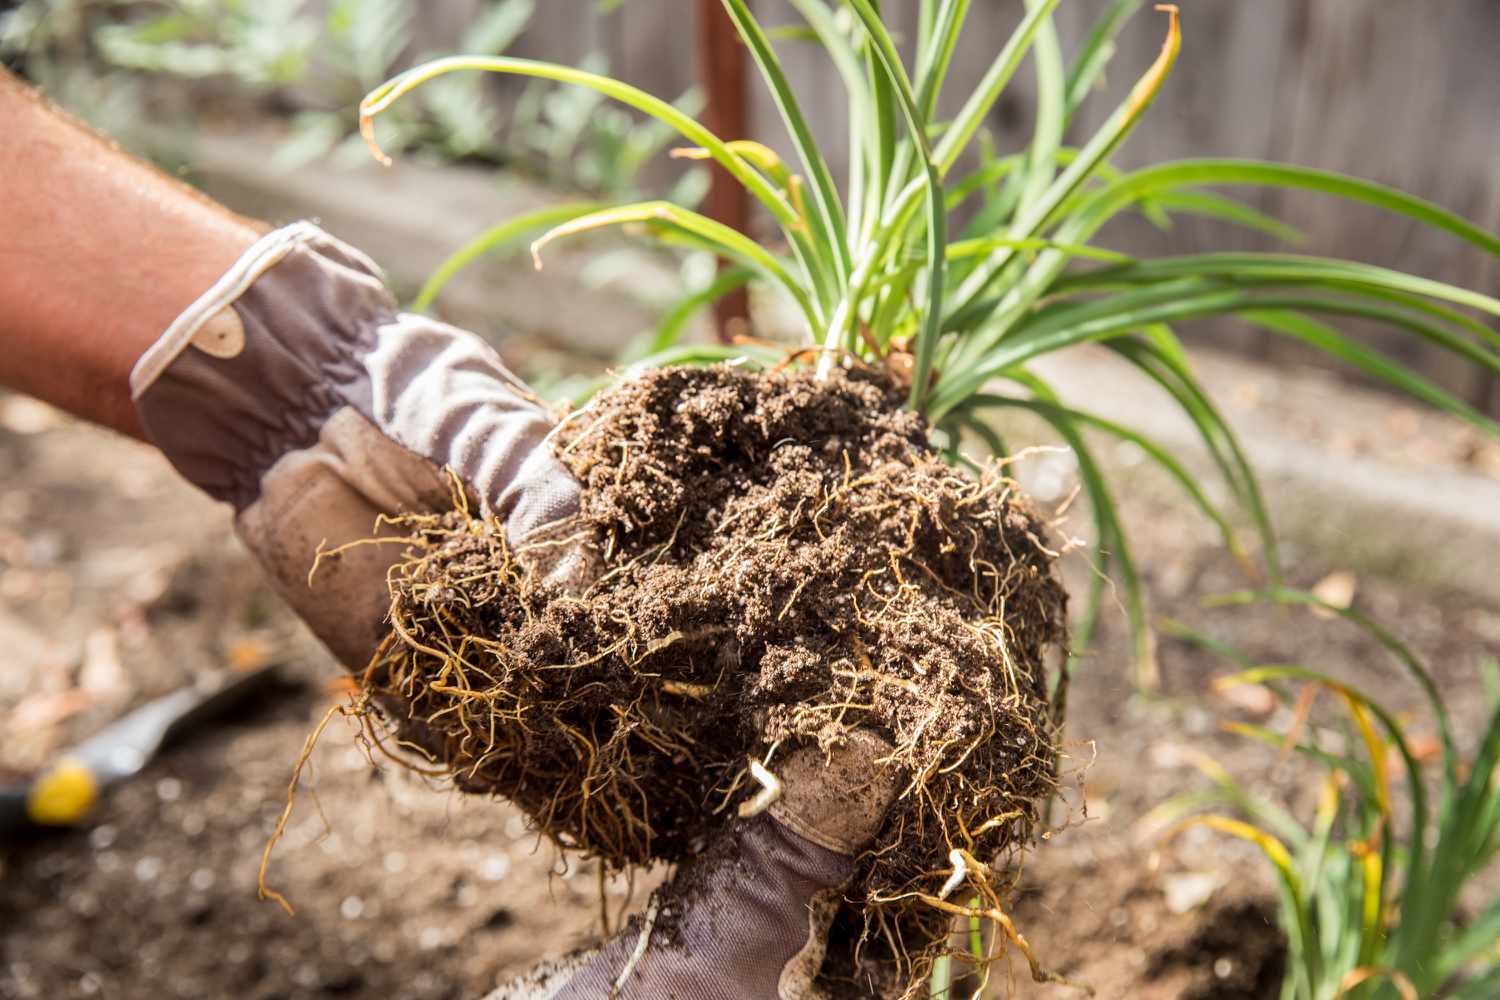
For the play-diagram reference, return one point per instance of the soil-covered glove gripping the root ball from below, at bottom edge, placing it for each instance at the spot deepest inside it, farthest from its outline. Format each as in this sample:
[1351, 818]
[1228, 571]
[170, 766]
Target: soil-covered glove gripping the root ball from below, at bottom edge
[749, 918]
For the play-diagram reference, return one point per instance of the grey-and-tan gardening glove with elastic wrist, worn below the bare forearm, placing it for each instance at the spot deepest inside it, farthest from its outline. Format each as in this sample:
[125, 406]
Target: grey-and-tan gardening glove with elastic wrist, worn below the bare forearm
[296, 392]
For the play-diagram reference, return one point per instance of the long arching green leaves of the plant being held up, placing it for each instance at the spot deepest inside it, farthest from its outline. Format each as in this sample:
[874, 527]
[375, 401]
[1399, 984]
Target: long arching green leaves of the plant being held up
[875, 275]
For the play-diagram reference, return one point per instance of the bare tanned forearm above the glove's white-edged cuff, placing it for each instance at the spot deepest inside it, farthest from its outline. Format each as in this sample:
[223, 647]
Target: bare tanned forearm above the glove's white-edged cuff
[98, 256]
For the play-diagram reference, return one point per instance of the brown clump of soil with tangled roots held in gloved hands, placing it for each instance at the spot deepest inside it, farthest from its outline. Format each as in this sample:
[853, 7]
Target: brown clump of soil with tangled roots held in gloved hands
[779, 560]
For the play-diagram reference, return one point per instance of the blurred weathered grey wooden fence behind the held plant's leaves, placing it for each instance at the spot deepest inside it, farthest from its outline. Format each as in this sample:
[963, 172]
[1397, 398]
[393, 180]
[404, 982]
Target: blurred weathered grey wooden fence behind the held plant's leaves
[1402, 92]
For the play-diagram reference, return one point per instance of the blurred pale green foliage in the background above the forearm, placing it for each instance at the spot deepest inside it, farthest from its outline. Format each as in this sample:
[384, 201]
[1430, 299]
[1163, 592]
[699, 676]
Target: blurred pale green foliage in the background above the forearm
[100, 59]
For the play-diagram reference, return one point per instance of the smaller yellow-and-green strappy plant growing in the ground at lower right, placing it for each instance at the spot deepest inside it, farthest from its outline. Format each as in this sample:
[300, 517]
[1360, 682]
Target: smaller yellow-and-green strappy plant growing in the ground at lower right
[1370, 899]
